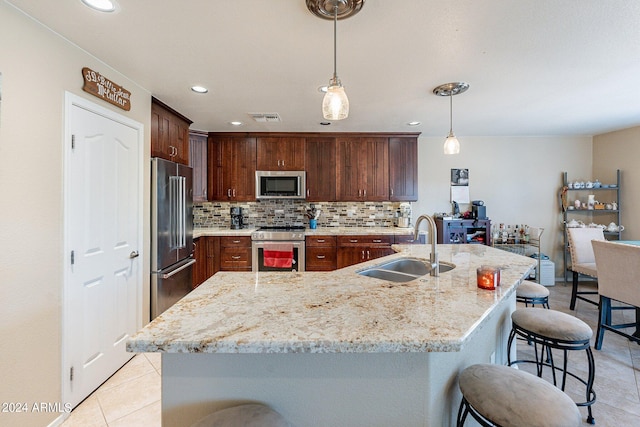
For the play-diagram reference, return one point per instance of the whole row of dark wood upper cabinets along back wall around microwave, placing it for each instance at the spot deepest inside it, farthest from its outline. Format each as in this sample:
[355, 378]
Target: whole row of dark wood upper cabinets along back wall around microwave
[346, 167]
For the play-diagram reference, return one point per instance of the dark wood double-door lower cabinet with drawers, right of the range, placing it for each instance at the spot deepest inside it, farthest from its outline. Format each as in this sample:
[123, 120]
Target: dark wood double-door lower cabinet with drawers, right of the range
[360, 248]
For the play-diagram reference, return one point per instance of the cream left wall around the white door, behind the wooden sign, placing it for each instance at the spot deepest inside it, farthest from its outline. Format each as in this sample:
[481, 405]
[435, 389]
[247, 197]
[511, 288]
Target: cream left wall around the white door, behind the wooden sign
[37, 68]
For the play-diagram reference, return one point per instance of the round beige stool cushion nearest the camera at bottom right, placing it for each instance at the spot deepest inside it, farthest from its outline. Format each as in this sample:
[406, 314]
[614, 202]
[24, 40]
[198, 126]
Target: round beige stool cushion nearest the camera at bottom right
[513, 398]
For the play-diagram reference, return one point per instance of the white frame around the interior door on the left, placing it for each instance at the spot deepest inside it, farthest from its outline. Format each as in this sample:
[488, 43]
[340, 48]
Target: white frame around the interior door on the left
[70, 101]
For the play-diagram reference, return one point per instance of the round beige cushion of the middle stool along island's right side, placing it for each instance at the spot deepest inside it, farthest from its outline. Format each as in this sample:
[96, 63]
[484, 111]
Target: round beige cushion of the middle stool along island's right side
[551, 324]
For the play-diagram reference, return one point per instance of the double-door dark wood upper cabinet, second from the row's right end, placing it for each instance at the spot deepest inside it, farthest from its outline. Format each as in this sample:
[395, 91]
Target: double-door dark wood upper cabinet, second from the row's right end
[363, 168]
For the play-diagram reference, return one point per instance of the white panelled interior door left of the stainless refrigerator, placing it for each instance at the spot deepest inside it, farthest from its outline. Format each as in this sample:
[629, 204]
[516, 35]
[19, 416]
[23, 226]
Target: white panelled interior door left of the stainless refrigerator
[103, 283]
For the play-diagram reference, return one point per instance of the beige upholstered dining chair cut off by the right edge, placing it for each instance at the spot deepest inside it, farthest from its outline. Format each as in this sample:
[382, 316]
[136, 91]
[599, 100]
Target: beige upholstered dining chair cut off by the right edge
[618, 279]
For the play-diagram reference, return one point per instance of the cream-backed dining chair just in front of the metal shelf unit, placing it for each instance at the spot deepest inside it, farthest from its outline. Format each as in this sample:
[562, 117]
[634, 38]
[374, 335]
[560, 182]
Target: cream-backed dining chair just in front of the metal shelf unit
[582, 259]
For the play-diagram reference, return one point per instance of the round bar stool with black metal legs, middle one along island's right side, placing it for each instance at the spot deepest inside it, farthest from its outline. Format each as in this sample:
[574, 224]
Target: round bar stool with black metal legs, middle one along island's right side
[553, 329]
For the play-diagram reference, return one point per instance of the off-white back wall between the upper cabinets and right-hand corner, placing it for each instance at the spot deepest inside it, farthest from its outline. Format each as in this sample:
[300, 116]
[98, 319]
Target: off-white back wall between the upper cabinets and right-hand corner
[518, 178]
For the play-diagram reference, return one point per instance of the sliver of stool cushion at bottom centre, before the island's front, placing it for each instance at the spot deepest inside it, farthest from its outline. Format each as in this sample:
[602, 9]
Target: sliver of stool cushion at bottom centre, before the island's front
[249, 415]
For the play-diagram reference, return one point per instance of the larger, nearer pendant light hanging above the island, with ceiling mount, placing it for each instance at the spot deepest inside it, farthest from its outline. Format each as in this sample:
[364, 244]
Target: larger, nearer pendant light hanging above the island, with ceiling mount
[335, 104]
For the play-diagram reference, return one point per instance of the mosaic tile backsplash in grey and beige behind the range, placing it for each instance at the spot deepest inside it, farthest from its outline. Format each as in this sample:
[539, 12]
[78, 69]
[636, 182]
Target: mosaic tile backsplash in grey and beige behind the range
[290, 212]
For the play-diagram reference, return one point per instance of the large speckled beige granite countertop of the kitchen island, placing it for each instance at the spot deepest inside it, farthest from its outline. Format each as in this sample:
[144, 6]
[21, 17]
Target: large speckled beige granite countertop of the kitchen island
[338, 311]
